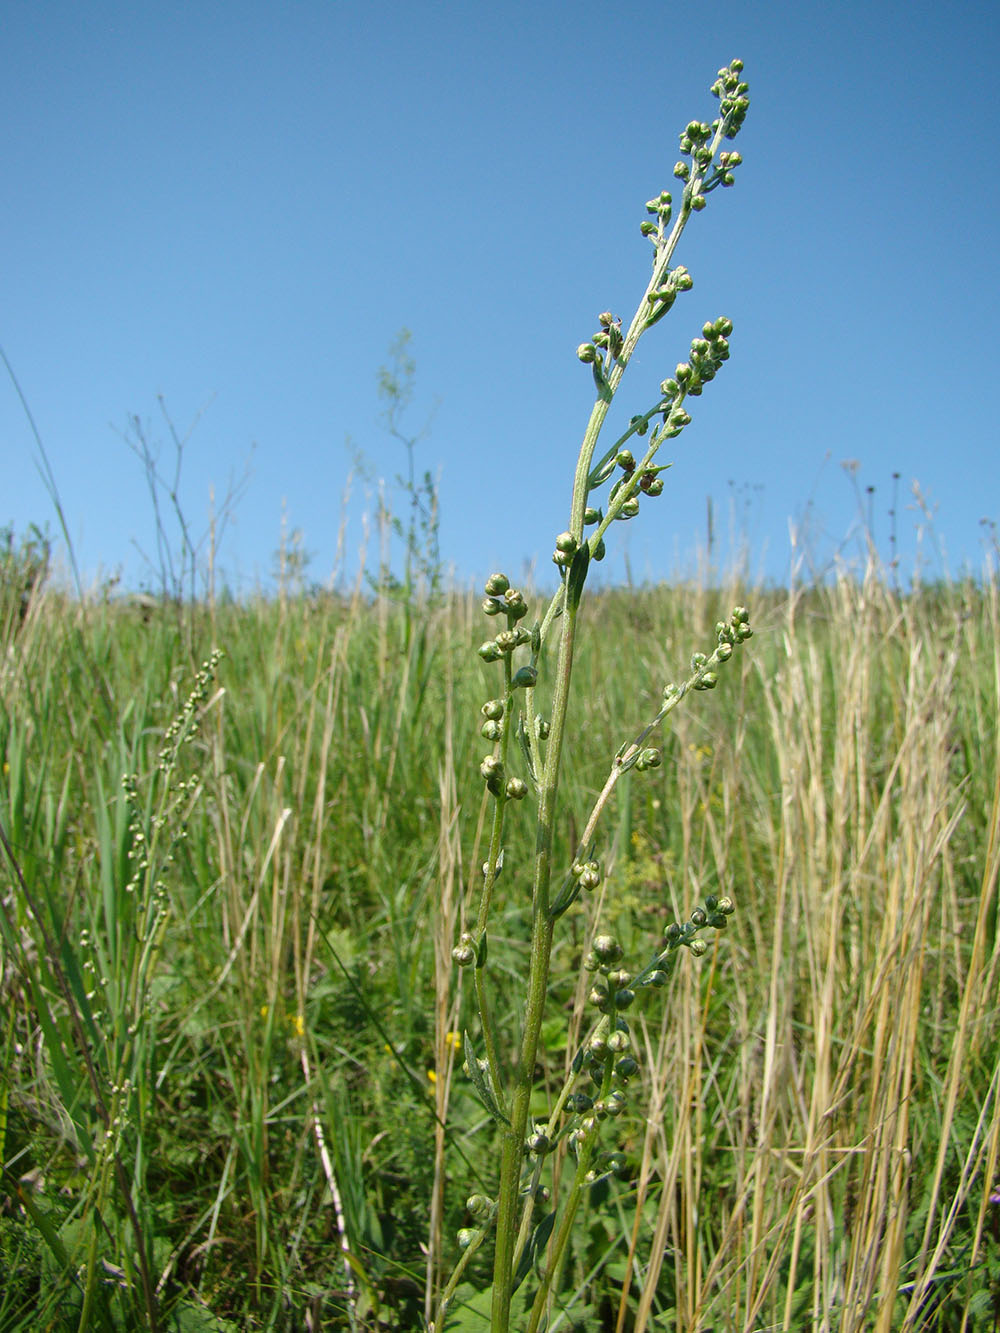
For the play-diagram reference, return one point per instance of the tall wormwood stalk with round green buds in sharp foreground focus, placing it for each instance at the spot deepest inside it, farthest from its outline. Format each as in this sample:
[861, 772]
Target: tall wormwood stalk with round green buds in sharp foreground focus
[531, 1230]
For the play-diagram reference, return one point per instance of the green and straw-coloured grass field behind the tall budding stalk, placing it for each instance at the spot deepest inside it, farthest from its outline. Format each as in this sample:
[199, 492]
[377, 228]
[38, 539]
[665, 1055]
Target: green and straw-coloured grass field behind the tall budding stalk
[823, 1131]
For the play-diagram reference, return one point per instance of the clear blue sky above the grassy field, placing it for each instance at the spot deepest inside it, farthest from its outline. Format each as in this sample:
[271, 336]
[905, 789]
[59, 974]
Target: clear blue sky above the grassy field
[237, 207]
